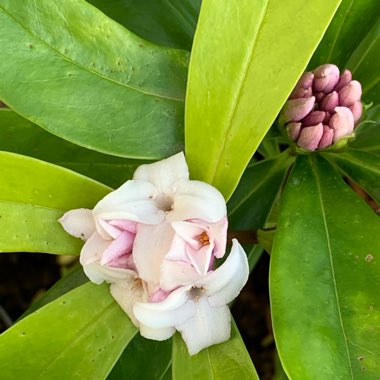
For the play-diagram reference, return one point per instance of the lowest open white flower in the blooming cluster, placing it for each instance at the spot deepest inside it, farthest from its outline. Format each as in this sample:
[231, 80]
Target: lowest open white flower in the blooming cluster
[199, 310]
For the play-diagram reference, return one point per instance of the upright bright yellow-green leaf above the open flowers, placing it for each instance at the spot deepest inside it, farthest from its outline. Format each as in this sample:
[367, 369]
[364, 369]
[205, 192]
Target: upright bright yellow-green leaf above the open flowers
[246, 58]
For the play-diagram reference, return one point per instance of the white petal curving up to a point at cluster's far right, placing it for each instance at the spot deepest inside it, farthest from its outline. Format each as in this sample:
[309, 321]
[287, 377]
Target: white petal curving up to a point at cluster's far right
[226, 282]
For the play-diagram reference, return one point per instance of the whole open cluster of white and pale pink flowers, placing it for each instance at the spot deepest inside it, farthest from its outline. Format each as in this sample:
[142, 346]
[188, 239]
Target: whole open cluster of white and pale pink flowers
[155, 240]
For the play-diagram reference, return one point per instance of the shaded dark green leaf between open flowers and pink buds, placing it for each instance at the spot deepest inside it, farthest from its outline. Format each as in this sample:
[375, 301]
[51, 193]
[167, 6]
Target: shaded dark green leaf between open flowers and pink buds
[252, 201]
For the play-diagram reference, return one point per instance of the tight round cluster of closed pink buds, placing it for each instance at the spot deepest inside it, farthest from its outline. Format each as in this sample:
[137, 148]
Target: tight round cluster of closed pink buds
[323, 108]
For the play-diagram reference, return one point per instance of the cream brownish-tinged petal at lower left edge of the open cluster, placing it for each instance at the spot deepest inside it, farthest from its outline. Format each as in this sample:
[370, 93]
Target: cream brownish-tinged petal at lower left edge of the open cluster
[127, 293]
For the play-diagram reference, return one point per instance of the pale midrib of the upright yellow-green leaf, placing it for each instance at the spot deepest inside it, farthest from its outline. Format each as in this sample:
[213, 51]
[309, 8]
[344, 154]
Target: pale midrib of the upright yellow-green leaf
[237, 98]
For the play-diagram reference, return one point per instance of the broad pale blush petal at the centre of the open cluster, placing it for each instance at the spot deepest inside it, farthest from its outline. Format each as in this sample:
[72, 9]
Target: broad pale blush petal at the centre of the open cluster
[151, 244]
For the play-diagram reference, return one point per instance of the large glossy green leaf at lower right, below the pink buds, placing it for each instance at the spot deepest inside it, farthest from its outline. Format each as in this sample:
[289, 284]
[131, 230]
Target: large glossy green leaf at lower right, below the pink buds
[324, 278]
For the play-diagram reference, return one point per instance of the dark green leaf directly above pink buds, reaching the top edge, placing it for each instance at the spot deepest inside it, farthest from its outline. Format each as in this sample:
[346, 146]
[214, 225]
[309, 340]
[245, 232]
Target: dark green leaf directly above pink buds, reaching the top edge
[351, 23]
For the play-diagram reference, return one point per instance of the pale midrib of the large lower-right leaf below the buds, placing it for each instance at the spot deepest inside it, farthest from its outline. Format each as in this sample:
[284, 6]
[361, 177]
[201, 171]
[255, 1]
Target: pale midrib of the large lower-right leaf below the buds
[317, 180]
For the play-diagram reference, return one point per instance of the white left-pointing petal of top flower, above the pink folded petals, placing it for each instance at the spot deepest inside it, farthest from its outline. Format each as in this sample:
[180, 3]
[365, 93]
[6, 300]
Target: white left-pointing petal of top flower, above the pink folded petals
[132, 201]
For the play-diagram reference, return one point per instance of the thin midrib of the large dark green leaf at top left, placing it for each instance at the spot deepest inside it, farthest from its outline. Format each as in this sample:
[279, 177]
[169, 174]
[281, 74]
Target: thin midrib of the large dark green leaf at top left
[42, 42]
